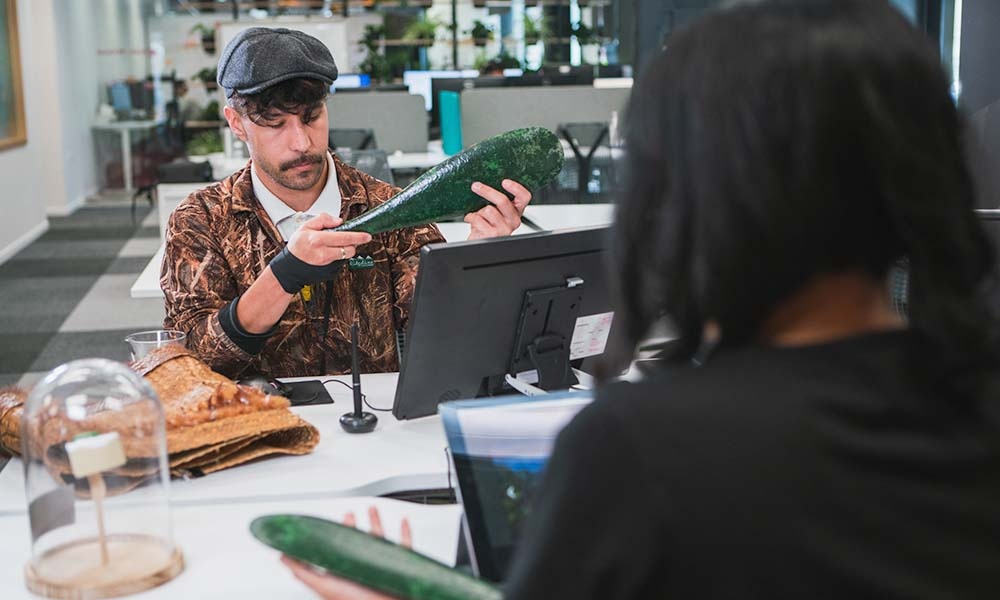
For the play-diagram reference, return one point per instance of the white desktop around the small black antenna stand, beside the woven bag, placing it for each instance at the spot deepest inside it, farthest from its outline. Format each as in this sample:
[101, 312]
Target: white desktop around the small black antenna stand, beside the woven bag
[398, 456]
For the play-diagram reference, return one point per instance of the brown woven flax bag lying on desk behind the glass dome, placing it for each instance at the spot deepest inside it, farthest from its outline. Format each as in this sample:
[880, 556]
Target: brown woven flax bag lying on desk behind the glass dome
[212, 423]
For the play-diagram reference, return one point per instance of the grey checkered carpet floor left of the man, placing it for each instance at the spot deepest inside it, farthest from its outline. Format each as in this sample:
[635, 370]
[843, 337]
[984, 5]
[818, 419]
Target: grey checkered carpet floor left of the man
[65, 296]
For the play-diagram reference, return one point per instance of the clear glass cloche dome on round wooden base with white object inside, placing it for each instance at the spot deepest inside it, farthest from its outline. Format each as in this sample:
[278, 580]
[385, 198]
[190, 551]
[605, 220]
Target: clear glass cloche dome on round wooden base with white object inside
[96, 478]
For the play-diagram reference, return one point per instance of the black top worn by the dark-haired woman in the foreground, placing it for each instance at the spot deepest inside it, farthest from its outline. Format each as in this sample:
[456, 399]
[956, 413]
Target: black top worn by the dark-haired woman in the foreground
[827, 471]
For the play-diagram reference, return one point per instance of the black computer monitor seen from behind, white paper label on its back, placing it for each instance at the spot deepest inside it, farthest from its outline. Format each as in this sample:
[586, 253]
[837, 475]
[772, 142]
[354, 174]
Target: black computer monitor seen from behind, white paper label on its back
[485, 308]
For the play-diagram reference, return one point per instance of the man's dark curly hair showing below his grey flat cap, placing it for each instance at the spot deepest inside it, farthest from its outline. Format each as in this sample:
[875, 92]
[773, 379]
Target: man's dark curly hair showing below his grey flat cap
[300, 96]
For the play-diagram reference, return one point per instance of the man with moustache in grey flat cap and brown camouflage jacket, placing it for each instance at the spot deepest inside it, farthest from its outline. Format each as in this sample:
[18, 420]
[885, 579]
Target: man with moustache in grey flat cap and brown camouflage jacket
[251, 273]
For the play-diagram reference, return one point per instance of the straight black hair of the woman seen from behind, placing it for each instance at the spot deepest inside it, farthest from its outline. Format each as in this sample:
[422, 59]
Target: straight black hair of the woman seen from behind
[776, 141]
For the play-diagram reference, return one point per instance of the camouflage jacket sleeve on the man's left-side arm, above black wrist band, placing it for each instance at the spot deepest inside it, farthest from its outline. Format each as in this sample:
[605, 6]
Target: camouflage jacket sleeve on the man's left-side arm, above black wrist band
[197, 283]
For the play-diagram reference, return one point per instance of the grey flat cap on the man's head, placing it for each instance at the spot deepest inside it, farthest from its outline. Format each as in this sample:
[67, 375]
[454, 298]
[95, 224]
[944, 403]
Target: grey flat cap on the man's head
[260, 57]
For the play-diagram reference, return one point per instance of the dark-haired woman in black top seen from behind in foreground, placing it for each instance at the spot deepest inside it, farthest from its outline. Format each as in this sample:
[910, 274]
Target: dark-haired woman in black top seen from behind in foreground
[803, 440]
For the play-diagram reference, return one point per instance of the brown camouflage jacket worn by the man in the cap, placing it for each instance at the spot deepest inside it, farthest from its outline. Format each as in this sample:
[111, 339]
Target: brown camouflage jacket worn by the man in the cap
[220, 239]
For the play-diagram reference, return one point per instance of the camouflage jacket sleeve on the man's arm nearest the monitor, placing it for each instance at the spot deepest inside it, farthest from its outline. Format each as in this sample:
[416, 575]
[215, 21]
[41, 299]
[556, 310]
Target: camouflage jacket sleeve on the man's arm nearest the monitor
[403, 247]
